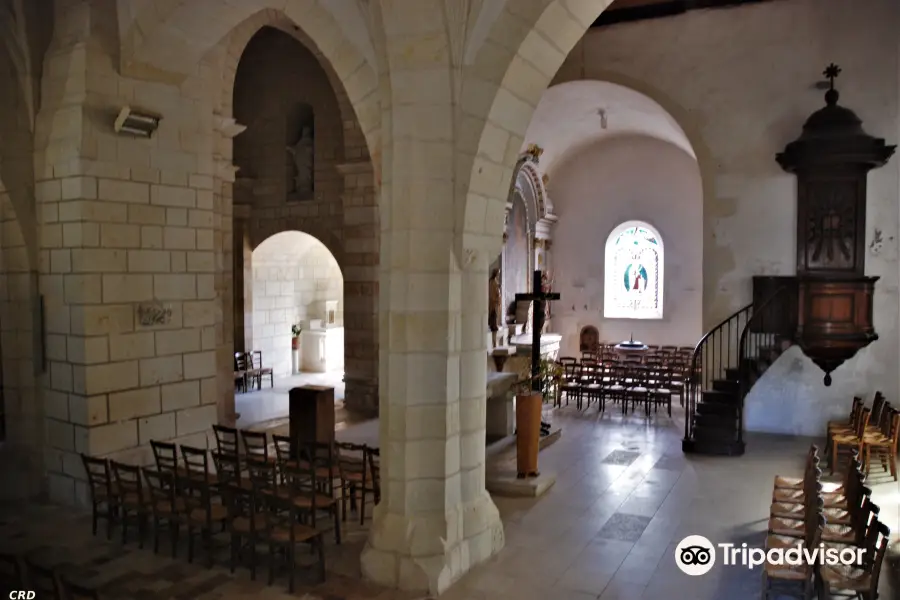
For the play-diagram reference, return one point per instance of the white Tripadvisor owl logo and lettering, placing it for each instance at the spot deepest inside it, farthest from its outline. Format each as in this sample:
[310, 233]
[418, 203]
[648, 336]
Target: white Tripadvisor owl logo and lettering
[695, 555]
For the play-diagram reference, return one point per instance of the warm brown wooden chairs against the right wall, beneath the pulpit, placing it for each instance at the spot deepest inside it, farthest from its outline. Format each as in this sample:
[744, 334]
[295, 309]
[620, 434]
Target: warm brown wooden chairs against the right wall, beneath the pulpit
[868, 432]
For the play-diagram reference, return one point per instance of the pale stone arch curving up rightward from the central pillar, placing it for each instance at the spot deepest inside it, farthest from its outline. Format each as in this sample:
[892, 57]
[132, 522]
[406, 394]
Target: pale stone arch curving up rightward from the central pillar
[518, 59]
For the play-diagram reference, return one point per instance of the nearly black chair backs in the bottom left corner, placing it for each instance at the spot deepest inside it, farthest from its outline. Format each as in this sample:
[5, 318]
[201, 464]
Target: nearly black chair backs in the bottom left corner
[21, 573]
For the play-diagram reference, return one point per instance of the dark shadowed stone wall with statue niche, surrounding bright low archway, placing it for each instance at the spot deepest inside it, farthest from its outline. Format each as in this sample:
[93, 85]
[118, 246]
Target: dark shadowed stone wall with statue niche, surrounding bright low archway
[275, 74]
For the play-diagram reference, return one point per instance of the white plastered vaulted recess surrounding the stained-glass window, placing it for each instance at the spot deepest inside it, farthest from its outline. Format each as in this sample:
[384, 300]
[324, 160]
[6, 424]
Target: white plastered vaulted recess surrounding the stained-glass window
[613, 154]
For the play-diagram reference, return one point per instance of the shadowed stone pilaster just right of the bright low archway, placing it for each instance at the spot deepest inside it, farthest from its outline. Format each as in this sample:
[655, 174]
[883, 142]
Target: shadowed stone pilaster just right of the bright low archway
[360, 287]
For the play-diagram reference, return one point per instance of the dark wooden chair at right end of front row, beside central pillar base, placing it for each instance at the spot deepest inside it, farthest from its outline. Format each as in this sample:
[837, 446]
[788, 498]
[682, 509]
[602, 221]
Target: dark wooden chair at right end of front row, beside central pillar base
[282, 526]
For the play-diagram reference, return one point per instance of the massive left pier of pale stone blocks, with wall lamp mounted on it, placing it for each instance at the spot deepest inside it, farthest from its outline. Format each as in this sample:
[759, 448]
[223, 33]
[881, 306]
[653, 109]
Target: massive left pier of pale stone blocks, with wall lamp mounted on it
[131, 282]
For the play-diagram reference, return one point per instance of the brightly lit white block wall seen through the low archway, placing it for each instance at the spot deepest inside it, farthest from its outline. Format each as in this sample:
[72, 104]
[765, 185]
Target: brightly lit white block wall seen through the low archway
[293, 276]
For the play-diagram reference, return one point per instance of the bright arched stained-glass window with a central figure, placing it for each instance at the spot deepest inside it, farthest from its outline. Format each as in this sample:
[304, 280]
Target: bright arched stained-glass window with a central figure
[634, 272]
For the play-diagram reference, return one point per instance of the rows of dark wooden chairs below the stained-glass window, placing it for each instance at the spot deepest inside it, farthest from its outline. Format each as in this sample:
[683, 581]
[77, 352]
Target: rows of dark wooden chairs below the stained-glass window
[647, 385]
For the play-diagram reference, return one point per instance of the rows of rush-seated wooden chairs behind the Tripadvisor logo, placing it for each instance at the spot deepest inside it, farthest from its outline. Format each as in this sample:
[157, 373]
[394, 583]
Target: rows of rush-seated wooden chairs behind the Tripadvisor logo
[810, 513]
